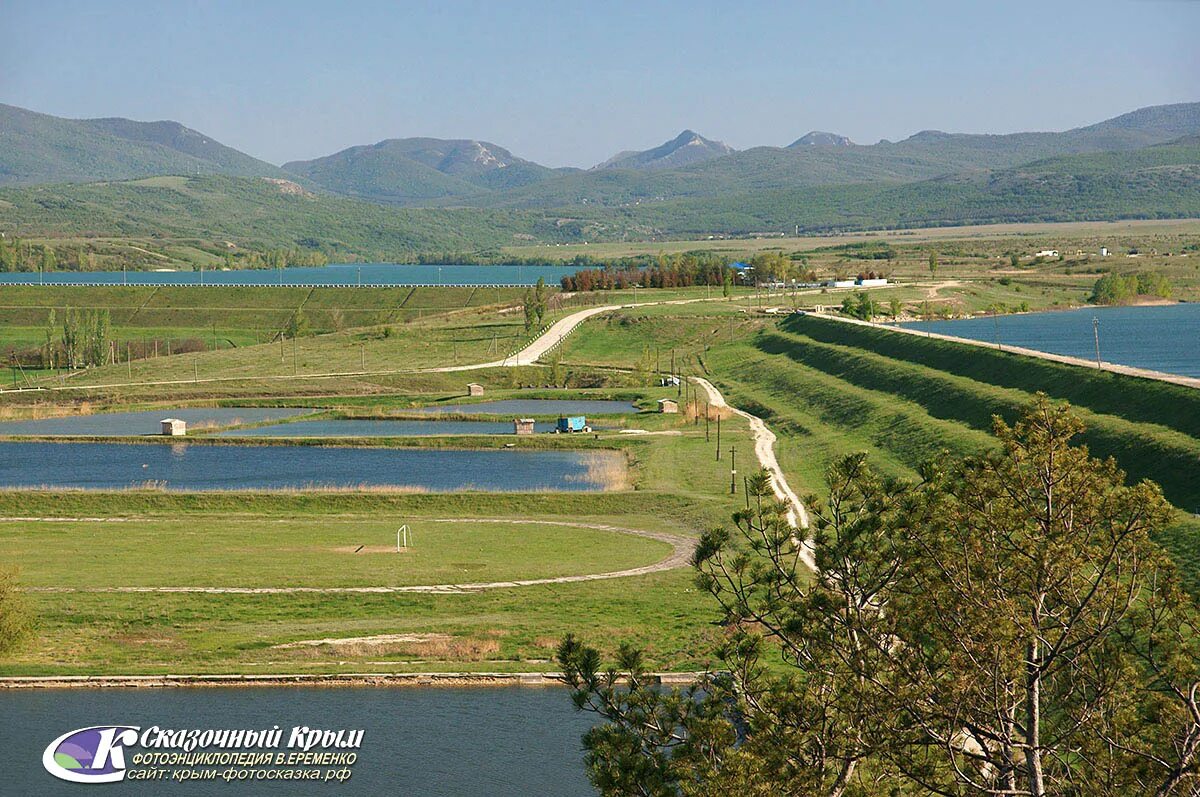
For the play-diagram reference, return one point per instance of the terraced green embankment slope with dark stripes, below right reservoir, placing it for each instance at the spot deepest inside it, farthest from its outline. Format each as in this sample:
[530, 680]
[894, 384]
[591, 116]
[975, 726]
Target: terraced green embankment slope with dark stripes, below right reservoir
[830, 389]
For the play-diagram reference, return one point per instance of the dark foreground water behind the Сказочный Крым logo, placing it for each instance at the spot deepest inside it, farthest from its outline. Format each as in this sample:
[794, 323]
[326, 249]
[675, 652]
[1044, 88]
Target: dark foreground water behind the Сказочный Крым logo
[488, 742]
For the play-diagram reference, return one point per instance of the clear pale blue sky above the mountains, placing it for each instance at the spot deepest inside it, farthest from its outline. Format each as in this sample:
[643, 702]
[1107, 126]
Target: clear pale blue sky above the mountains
[571, 83]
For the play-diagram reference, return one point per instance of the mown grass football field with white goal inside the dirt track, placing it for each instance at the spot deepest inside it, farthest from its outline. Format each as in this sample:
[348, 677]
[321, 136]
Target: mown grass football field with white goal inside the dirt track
[343, 552]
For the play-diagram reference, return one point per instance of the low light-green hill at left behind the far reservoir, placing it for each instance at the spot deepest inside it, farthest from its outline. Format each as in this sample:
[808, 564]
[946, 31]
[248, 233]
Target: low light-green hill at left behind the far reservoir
[261, 214]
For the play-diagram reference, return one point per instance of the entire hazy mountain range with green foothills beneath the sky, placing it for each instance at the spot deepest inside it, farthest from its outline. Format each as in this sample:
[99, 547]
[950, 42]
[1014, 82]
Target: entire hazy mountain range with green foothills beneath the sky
[466, 194]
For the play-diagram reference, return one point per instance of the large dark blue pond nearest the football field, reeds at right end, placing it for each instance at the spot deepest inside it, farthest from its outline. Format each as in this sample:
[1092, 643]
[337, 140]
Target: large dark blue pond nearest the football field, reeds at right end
[183, 466]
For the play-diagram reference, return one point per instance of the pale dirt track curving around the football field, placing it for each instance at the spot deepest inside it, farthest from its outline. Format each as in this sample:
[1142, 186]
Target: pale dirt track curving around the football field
[680, 558]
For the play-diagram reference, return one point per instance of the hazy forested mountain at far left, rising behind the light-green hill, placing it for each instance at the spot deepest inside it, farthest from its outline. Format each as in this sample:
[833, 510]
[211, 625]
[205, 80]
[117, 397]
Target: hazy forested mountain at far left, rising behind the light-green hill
[39, 149]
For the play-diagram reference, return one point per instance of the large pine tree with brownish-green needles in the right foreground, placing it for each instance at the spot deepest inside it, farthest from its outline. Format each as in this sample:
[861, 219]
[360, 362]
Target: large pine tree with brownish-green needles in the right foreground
[1005, 627]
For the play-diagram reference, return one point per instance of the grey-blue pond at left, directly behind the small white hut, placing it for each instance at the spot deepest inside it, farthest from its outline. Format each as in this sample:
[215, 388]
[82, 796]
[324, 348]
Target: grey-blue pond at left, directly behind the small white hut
[147, 423]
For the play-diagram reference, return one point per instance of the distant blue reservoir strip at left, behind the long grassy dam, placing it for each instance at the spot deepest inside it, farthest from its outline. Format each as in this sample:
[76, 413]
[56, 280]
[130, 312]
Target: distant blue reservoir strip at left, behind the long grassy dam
[343, 274]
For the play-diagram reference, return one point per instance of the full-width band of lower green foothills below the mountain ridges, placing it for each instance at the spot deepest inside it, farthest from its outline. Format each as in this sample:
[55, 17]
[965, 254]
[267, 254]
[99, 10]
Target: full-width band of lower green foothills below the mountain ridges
[1159, 182]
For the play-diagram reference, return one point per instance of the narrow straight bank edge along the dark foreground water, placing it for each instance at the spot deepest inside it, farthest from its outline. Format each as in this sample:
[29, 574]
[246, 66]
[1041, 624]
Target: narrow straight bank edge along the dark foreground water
[382, 680]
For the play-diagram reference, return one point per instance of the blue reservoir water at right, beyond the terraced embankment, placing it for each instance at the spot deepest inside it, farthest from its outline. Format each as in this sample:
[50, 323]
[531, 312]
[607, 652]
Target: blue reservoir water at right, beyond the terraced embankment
[1162, 338]
